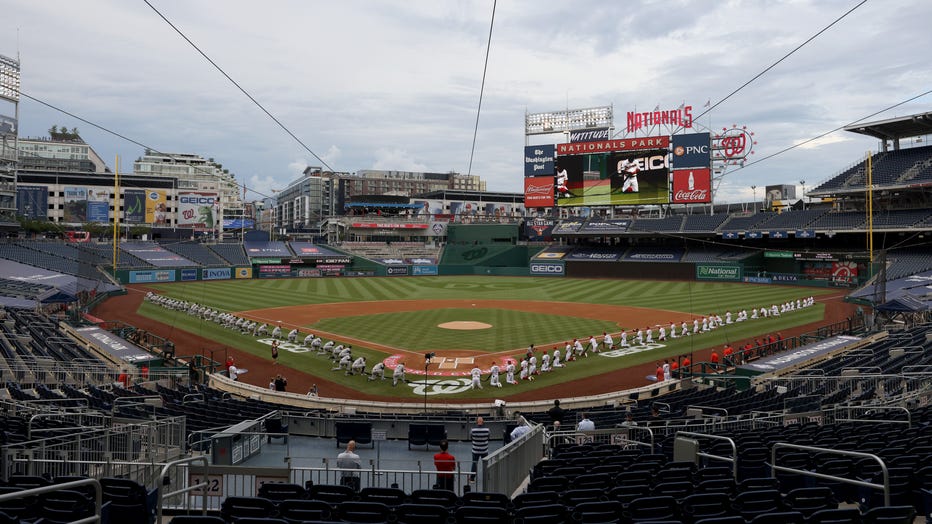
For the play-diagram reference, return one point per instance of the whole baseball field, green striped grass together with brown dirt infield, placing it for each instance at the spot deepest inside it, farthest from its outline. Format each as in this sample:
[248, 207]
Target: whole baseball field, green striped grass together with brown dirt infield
[472, 321]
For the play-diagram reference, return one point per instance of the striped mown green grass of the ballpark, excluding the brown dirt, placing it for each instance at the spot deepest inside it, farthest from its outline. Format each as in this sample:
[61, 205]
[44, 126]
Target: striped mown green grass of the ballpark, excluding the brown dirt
[678, 297]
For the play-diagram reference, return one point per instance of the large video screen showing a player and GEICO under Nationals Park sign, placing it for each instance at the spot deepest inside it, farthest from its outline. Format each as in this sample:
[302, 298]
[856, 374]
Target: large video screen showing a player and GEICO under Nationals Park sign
[637, 177]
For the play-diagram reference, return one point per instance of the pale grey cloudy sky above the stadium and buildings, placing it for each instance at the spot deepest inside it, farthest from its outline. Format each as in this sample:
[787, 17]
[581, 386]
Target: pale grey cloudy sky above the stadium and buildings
[395, 84]
